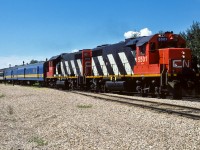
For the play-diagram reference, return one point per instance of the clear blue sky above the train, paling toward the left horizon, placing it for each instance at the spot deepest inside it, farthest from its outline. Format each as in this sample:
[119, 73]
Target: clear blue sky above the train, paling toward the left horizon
[39, 29]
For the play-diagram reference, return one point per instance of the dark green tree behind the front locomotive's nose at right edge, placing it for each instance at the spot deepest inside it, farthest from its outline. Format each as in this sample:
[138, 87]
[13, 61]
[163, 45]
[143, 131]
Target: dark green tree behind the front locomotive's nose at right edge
[192, 37]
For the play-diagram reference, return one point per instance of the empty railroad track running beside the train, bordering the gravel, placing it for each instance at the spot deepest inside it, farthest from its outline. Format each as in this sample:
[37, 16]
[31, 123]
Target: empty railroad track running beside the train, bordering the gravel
[185, 111]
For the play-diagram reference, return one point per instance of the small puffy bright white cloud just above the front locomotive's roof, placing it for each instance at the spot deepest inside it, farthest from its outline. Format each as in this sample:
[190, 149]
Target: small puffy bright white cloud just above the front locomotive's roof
[142, 32]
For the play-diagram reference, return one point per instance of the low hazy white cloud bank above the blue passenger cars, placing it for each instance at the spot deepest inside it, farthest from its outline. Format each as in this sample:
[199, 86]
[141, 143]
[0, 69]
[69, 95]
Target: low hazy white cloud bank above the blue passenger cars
[5, 61]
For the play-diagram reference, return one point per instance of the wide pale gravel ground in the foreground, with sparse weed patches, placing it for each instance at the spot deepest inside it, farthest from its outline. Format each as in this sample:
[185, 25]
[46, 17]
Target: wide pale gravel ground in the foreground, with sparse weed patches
[41, 118]
